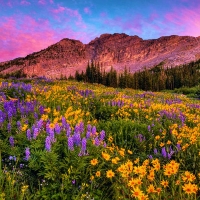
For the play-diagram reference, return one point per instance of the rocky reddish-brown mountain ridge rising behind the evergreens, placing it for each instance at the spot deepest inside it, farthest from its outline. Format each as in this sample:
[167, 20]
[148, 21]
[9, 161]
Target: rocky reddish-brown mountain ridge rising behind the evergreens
[117, 50]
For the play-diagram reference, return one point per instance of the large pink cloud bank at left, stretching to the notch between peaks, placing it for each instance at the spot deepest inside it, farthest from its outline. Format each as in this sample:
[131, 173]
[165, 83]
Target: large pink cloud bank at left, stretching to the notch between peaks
[19, 37]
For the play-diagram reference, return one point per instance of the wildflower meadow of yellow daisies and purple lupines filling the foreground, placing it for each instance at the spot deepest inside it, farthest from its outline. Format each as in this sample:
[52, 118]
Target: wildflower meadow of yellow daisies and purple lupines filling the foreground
[68, 140]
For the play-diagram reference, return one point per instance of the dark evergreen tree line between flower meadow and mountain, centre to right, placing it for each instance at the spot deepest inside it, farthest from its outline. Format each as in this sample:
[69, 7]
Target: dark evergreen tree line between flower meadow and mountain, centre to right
[154, 79]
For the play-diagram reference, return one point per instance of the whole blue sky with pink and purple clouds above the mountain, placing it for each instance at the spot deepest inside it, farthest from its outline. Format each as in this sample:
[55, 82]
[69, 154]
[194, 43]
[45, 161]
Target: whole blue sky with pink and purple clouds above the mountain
[28, 26]
